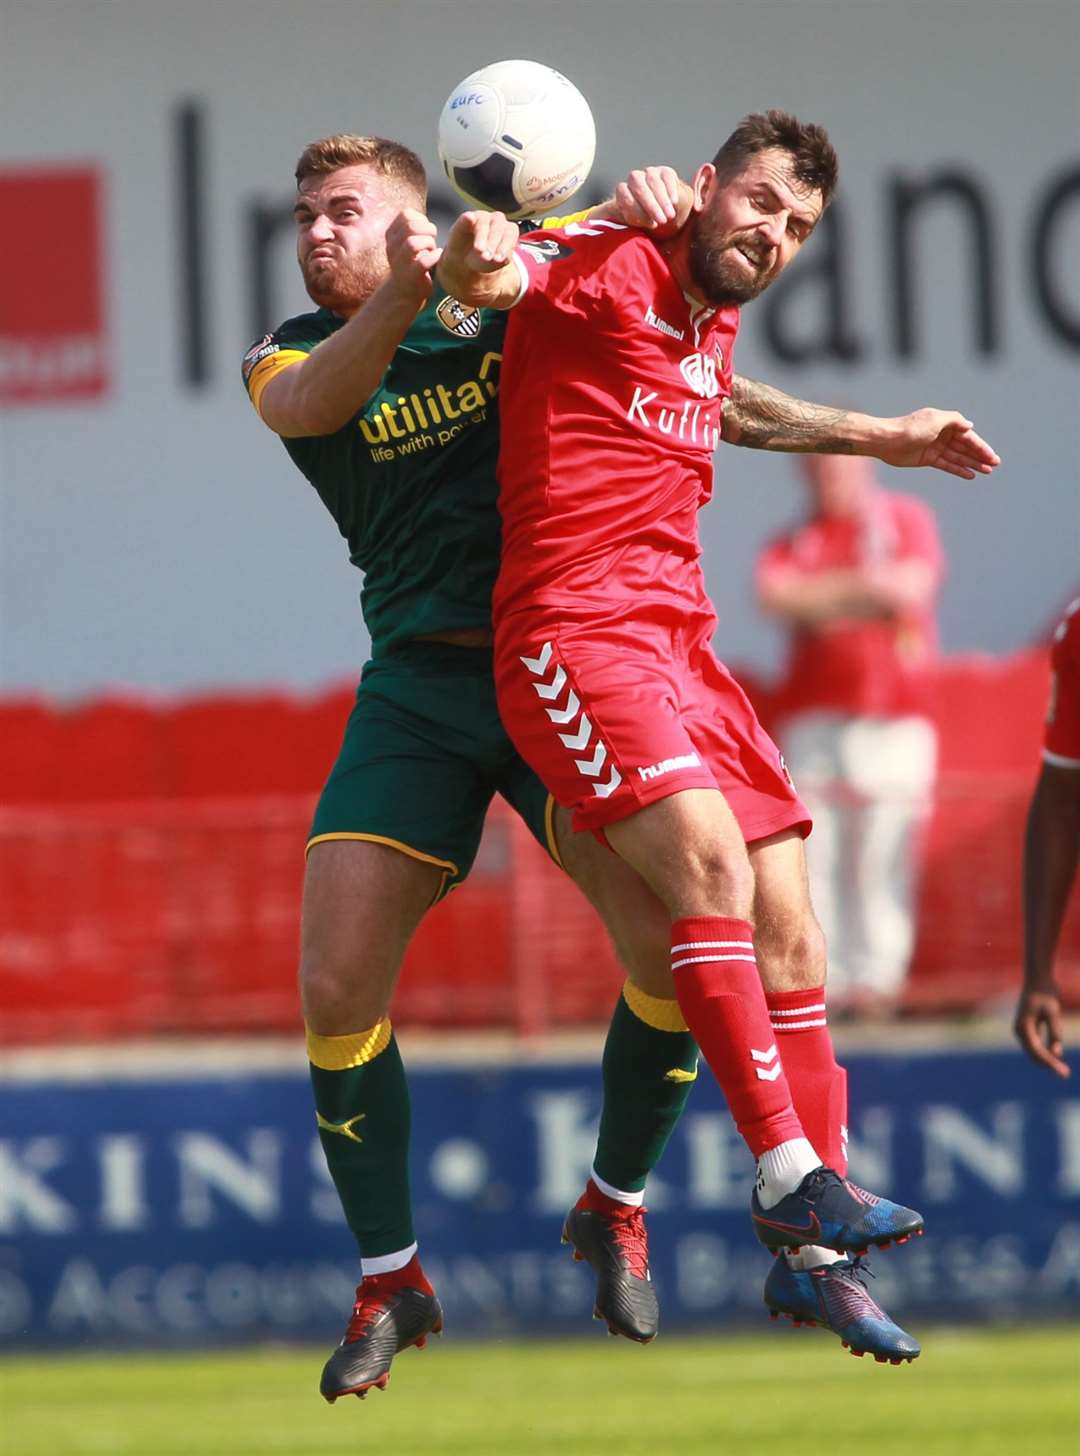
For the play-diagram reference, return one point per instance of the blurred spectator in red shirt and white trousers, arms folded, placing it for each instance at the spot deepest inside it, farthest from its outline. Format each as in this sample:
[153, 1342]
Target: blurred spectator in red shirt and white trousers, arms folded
[857, 585]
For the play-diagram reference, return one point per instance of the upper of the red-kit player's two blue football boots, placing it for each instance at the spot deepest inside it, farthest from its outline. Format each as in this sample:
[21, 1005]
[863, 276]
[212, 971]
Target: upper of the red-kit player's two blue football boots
[829, 1211]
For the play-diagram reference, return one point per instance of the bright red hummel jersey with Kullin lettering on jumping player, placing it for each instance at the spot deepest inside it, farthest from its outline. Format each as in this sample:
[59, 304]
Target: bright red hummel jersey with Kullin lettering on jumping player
[611, 413]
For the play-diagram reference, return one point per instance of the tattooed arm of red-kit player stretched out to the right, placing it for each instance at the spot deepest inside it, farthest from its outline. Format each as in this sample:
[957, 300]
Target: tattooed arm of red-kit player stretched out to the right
[765, 419]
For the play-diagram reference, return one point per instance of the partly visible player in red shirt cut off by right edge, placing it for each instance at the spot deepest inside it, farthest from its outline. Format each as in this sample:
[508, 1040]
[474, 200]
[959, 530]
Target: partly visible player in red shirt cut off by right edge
[1052, 854]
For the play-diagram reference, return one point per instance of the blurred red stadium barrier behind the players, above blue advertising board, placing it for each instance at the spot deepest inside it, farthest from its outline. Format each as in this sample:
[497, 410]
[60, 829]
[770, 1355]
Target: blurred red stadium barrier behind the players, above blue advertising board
[152, 858]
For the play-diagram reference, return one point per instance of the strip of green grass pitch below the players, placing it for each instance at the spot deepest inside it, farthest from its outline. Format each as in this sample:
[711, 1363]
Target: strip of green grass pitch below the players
[973, 1394]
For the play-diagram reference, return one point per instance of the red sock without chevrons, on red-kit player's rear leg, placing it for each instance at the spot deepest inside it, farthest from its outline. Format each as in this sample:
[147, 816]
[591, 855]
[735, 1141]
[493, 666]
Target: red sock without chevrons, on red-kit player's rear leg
[819, 1085]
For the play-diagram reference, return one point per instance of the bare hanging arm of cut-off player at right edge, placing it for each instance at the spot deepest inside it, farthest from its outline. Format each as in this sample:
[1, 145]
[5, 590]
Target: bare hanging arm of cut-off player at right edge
[1052, 852]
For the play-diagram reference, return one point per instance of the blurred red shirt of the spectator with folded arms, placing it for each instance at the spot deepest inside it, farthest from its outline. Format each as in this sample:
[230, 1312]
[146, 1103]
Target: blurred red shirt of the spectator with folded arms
[861, 666]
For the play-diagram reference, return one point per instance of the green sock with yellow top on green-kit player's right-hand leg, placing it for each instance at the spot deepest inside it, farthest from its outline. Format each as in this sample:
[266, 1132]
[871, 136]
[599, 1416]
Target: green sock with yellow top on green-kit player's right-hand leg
[650, 1067]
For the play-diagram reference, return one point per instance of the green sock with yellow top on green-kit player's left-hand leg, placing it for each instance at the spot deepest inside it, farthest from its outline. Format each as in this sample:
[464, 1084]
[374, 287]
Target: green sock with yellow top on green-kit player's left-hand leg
[362, 1104]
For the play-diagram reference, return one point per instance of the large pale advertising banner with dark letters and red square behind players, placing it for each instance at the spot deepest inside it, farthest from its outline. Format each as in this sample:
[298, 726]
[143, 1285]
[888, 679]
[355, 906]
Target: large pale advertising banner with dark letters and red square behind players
[154, 534]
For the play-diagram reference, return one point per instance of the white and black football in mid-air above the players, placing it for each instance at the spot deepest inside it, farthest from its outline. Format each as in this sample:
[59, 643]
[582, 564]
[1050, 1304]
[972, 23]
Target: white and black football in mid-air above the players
[517, 138]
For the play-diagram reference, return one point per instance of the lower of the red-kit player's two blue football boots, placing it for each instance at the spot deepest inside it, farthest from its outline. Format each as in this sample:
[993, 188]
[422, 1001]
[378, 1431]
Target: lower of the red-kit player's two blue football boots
[836, 1298]
